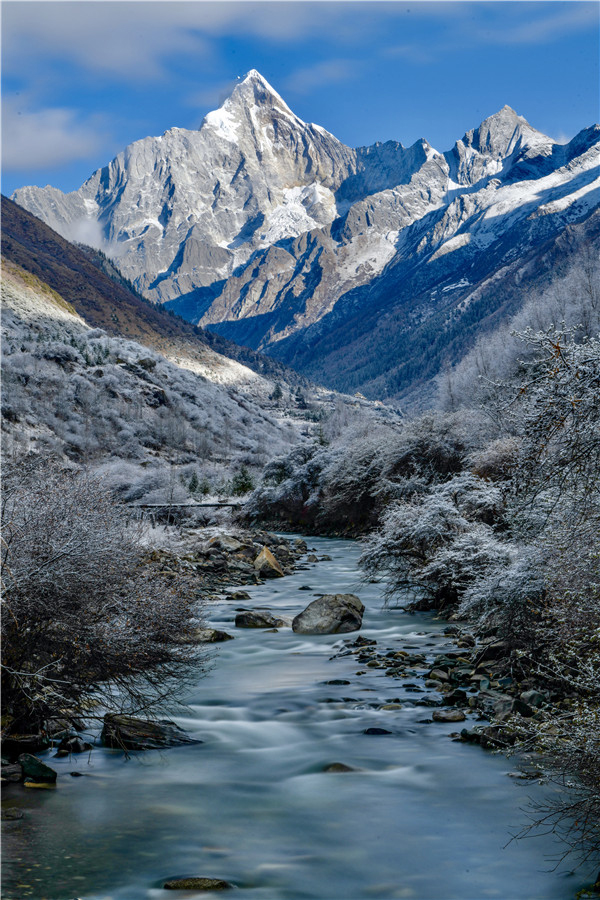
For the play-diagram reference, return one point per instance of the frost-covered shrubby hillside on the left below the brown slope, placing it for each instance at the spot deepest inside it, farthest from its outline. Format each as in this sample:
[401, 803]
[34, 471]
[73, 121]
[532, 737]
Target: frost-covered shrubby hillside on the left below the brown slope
[114, 405]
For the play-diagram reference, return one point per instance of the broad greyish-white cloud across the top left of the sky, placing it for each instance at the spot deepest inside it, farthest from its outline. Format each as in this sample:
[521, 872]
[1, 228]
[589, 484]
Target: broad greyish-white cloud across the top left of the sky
[136, 39]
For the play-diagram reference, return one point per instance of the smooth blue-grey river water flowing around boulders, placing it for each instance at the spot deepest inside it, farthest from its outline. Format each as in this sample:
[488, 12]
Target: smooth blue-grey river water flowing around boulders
[422, 817]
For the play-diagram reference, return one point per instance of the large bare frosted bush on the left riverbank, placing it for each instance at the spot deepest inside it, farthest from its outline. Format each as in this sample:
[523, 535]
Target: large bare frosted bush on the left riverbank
[82, 614]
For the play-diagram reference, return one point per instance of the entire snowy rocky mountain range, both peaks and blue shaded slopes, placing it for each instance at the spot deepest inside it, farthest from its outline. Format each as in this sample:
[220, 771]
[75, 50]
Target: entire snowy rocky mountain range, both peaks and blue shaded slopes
[276, 235]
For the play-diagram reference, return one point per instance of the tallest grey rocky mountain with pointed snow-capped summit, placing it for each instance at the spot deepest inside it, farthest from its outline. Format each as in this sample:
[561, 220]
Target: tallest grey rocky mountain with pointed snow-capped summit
[182, 210]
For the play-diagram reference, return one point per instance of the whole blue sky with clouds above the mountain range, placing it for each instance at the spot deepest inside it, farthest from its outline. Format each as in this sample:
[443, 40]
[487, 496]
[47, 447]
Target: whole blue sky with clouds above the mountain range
[81, 80]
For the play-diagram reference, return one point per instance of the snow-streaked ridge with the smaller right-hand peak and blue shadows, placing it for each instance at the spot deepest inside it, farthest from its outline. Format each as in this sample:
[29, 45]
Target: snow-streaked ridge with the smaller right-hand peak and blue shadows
[414, 225]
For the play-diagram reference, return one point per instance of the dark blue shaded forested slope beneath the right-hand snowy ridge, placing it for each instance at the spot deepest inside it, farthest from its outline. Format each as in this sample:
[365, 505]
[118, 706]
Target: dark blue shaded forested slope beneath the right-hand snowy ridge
[390, 338]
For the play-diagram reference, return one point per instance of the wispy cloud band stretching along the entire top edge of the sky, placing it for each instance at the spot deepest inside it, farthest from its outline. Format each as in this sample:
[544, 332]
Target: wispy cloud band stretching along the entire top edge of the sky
[124, 38]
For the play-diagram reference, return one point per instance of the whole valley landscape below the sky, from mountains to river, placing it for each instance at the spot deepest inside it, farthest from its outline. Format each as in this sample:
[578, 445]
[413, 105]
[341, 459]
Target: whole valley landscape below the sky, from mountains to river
[388, 356]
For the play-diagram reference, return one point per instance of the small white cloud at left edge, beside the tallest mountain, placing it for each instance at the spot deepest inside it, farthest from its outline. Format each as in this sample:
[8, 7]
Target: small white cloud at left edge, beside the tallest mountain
[45, 138]
